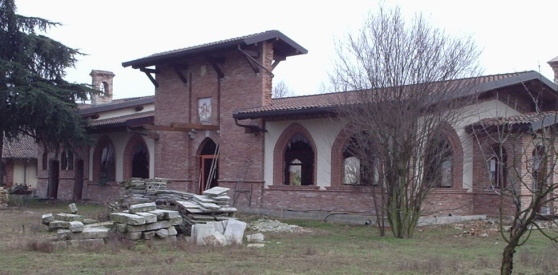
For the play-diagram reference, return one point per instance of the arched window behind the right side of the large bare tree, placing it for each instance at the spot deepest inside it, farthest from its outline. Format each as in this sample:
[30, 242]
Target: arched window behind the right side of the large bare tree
[439, 162]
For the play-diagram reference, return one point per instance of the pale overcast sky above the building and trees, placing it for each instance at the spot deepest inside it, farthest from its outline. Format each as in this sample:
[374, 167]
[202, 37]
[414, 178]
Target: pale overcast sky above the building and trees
[514, 35]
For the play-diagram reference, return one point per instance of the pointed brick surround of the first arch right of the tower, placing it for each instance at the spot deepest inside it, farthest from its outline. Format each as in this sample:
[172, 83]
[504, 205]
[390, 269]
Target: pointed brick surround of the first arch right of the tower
[280, 148]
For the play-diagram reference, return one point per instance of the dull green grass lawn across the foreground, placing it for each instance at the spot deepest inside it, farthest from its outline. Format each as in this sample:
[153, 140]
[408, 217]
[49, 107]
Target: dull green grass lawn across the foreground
[325, 248]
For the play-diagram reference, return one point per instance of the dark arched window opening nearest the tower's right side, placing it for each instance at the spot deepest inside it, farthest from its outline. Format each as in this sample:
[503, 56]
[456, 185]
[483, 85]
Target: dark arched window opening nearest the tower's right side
[299, 161]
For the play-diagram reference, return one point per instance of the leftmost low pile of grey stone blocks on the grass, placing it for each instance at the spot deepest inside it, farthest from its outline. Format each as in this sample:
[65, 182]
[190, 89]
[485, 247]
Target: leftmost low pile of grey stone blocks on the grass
[73, 229]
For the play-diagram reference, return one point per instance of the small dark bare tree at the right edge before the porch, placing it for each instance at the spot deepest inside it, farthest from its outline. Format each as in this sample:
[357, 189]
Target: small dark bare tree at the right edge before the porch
[521, 154]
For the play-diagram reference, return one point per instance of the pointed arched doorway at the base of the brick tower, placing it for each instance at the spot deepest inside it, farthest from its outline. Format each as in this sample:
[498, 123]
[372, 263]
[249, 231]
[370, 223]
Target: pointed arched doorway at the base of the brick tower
[209, 168]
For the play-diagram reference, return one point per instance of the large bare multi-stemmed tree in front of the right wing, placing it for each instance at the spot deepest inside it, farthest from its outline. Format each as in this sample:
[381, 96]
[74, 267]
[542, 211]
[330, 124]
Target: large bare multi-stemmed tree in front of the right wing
[403, 92]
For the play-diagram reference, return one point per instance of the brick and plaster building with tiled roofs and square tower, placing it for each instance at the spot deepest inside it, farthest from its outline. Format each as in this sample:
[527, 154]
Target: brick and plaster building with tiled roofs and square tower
[212, 122]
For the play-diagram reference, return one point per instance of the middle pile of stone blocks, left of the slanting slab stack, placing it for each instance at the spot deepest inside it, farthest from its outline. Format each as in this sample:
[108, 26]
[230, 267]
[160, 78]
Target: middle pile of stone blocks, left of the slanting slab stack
[145, 221]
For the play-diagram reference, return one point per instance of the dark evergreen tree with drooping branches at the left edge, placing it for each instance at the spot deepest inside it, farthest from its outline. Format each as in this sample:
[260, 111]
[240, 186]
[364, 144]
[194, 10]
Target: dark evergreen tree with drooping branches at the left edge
[35, 100]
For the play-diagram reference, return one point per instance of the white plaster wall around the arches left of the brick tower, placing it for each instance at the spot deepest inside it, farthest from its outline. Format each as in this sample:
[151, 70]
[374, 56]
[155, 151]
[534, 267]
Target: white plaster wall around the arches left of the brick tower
[120, 140]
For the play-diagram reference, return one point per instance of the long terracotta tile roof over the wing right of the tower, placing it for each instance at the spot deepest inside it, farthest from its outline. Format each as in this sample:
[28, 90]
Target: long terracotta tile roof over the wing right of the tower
[328, 102]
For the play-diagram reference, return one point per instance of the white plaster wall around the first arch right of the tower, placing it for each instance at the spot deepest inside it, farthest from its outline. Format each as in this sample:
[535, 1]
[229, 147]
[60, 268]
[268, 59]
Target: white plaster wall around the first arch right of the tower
[323, 132]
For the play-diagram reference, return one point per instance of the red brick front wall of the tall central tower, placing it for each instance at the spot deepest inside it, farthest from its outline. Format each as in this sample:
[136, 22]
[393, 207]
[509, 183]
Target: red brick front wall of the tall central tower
[176, 153]
